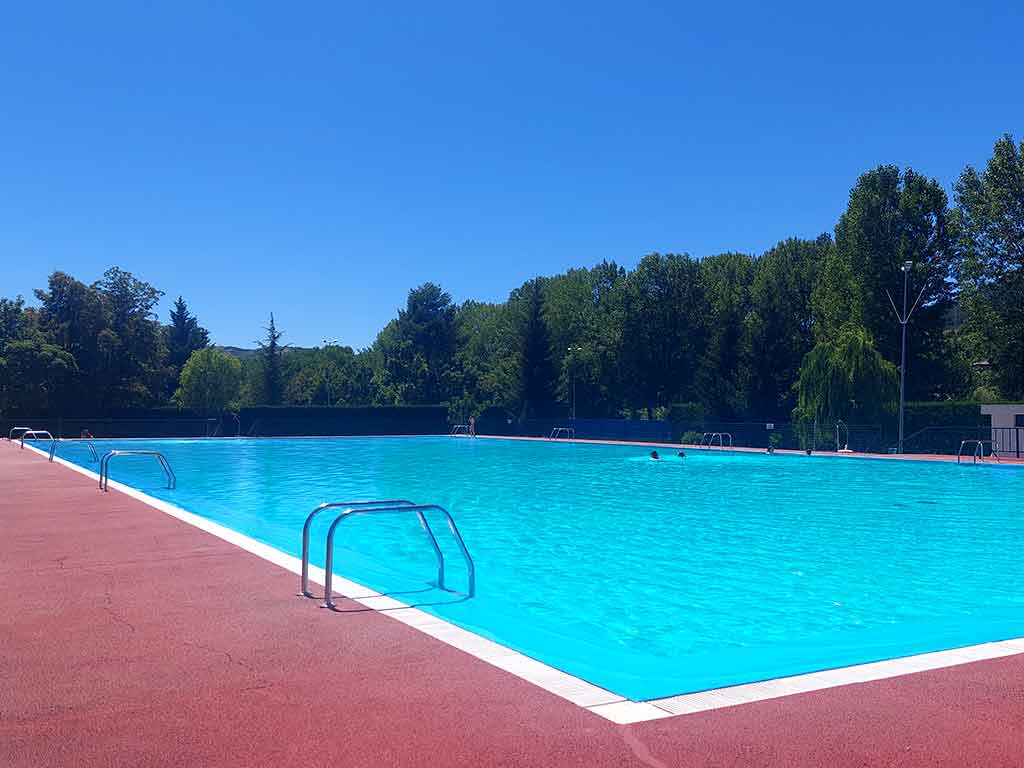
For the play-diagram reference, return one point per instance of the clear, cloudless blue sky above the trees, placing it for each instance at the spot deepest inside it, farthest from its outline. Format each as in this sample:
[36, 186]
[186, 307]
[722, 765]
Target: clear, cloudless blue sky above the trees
[318, 160]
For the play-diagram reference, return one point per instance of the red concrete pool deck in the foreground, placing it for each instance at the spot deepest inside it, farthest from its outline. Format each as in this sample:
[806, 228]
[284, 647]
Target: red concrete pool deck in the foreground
[130, 638]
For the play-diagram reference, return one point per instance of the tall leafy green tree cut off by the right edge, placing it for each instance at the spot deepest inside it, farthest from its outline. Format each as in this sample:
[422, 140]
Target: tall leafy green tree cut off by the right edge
[992, 227]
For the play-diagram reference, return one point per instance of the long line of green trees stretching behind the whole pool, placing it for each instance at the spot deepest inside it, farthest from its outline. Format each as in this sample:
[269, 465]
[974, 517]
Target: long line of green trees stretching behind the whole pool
[806, 330]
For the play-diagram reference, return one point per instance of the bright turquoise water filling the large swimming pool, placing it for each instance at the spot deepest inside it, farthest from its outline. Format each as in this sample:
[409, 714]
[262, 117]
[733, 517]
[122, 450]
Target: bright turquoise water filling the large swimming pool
[649, 579]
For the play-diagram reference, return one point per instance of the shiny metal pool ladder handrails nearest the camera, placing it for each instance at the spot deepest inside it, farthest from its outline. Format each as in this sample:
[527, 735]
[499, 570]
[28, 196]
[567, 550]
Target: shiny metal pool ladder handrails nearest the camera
[381, 506]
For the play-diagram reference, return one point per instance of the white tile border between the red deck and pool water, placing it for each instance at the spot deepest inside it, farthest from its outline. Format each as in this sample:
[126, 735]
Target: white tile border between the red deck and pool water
[599, 701]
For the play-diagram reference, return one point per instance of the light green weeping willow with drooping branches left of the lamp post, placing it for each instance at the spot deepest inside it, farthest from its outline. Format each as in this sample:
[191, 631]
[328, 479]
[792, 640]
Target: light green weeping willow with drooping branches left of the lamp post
[846, 378]
